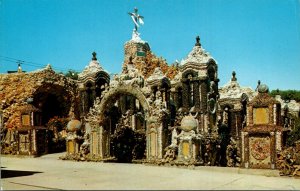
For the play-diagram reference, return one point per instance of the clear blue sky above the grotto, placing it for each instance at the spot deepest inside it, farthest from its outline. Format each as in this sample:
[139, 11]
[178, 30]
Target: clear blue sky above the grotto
[259, 39]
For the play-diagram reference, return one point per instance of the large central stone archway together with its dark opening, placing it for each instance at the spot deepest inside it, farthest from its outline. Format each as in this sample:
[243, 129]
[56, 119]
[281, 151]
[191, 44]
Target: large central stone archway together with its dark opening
[123, 115]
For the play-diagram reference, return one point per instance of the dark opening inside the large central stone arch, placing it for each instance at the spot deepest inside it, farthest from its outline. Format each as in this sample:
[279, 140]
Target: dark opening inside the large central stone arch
[125, 122]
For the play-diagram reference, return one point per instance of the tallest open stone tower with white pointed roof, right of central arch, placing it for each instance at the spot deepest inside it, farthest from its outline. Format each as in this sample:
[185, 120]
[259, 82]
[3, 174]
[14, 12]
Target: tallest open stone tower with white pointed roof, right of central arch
[195, 87]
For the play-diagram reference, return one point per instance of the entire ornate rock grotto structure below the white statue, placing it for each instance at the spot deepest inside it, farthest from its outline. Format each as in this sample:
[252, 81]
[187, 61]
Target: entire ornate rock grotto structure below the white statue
[149, 112]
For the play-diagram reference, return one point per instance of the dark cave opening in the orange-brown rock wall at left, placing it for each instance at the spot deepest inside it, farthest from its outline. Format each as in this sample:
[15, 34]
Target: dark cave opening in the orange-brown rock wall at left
[54, 102]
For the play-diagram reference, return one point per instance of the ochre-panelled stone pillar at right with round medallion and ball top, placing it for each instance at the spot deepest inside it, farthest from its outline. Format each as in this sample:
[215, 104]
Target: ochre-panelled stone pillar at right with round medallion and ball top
[262, 137]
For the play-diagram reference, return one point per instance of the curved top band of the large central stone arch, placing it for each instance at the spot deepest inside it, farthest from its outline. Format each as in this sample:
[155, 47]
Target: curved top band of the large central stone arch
[113, 94]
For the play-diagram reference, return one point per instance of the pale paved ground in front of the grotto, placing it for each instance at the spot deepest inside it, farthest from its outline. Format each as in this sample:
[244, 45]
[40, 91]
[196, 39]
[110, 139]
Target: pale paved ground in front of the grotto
[50, 173]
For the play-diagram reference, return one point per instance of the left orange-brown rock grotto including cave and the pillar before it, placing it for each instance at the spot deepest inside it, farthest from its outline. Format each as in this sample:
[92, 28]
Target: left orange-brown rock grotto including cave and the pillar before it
[22, 95]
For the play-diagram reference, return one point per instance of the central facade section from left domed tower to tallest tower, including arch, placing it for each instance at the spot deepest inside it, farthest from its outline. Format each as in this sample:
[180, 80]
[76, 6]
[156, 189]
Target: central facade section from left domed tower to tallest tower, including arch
[152, 104]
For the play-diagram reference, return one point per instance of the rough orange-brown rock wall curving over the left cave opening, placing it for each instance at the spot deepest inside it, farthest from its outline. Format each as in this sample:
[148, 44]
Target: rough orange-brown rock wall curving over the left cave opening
[16, 88]
